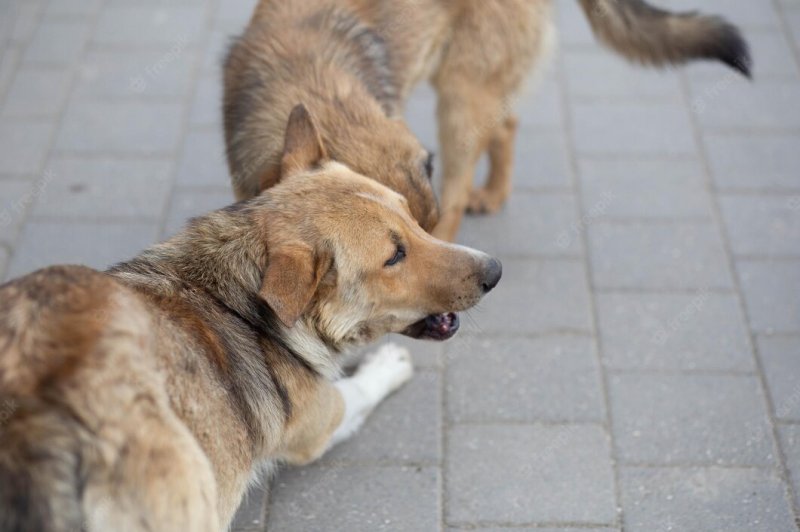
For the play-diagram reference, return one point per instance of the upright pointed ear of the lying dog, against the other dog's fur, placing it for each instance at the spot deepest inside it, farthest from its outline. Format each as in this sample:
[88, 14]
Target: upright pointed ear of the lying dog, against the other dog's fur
[302, 149]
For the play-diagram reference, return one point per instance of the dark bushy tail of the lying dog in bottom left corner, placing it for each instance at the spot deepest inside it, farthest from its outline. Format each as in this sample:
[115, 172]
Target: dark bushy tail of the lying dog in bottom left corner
[39, 470]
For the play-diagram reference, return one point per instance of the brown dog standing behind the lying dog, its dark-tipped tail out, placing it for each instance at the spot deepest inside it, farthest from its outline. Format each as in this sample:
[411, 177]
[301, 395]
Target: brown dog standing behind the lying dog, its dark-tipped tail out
[354, 63]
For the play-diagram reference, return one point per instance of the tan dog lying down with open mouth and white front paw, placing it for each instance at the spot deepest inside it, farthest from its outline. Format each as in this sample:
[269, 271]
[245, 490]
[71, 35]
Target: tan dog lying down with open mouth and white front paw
[147, 397]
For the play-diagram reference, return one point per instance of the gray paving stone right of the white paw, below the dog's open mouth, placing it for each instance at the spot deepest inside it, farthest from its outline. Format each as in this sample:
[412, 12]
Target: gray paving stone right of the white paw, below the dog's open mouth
[556, 378]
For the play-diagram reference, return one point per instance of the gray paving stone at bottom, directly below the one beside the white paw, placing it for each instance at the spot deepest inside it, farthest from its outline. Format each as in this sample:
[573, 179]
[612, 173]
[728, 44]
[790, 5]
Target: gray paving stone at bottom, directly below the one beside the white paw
[519, 474]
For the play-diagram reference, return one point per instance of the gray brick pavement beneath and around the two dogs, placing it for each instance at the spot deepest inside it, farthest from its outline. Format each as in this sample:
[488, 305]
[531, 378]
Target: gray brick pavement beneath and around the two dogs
[637, 369]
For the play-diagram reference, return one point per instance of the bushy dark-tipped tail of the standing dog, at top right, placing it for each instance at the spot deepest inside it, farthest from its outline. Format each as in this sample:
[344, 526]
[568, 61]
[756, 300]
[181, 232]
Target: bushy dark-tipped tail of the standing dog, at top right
[652, 36]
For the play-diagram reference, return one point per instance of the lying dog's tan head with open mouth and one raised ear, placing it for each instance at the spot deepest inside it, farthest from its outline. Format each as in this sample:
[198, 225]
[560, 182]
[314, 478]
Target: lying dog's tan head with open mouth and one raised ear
[346, 256]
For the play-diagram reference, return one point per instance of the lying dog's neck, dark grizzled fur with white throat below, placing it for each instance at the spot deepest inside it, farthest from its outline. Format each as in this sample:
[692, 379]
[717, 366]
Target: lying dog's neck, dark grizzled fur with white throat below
[221, 255]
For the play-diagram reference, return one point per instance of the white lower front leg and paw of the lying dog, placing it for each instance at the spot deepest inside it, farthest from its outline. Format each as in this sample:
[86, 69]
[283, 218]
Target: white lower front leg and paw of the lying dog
[379, 375]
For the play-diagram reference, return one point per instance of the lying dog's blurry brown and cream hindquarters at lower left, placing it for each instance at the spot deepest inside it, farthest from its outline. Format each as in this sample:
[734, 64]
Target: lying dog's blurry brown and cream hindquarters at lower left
[86, 422]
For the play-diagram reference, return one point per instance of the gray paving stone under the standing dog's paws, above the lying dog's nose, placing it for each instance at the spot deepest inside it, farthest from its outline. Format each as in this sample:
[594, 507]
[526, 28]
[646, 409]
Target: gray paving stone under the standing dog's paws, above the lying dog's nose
[530, 225]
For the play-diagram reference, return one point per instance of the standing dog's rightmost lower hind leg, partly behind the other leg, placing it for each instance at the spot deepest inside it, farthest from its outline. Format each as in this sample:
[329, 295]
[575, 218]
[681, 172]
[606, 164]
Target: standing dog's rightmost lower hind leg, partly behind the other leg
[491, 197]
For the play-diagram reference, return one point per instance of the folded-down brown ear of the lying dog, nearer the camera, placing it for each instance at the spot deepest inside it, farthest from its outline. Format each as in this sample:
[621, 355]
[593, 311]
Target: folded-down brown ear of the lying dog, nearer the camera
[291, 279]
